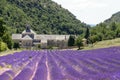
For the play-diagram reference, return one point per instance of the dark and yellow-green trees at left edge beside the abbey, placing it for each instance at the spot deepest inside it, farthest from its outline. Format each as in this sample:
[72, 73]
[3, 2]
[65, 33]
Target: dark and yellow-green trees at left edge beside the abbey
[5, 37]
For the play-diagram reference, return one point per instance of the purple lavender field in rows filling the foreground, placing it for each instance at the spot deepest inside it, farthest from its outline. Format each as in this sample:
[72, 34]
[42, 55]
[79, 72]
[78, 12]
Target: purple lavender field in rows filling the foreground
[99, 64]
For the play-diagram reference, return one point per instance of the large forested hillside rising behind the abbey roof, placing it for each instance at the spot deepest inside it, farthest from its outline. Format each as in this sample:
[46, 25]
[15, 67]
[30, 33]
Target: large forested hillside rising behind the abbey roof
[44, 17]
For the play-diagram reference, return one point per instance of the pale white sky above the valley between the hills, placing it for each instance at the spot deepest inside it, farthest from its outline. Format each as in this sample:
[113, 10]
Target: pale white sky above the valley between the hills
[91, 11]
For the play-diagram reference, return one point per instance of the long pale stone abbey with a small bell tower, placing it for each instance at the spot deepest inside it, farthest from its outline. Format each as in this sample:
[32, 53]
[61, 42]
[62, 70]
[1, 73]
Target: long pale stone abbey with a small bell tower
[28, 38]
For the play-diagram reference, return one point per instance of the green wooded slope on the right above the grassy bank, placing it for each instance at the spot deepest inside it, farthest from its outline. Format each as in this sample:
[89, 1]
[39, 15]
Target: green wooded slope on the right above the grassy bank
[109, 29]
